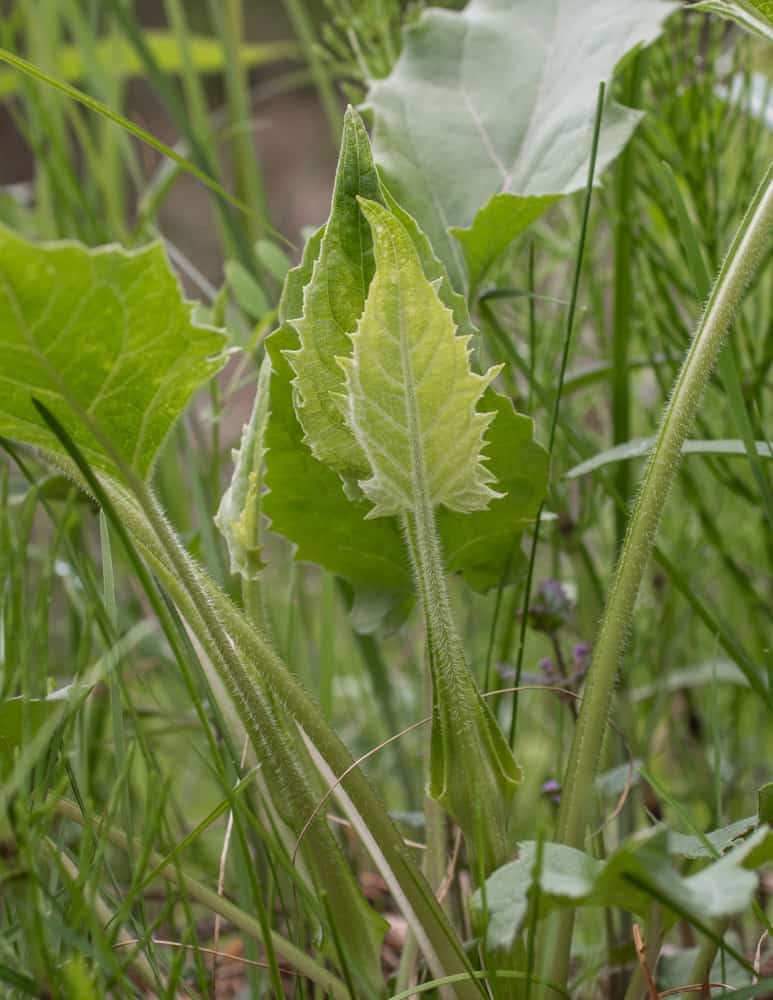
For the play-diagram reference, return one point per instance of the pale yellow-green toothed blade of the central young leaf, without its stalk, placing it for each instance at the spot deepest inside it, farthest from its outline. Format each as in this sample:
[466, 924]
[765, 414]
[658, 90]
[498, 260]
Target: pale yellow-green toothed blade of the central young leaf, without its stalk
[411, 394]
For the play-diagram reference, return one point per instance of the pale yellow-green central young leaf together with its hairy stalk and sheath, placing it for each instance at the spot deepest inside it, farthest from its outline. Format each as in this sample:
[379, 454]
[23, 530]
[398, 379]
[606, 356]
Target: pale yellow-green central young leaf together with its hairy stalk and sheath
[412, 406]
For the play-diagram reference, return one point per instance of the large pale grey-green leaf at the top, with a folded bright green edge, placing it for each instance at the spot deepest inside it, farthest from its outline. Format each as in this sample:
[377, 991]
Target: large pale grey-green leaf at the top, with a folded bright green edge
[499, 99]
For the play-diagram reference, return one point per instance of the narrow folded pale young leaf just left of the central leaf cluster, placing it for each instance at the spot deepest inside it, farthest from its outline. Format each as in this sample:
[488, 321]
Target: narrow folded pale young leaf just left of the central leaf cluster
[238, 516]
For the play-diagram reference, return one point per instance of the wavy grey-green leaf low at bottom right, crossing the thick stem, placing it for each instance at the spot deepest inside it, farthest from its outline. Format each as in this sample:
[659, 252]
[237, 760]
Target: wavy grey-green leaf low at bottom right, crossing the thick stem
[640, 870]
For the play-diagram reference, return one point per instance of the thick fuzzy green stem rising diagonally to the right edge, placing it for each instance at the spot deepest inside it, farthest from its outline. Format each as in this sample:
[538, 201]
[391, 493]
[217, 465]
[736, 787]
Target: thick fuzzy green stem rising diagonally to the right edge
[746, 250]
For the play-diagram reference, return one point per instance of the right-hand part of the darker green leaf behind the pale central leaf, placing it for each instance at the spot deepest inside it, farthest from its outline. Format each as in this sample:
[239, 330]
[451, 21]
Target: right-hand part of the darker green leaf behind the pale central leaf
[478, 544]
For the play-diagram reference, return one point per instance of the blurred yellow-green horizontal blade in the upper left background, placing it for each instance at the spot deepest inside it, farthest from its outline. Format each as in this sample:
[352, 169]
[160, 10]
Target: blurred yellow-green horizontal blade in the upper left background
[119, 55]
